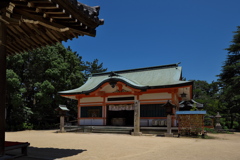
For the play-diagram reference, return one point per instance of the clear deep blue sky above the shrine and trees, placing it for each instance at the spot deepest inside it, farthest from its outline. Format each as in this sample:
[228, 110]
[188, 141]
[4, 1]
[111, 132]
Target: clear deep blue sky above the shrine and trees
[140, 33]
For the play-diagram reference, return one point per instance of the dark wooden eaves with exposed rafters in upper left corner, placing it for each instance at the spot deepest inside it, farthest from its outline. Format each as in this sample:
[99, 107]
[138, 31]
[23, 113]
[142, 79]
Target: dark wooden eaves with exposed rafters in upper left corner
[35, 23]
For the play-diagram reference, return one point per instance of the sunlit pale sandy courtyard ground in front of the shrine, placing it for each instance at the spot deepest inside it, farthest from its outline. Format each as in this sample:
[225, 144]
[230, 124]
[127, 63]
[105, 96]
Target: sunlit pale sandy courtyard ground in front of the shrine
[91, 146]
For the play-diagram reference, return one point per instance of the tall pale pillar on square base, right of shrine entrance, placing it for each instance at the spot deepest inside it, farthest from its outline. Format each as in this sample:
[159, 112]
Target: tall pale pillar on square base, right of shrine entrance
[136, 119]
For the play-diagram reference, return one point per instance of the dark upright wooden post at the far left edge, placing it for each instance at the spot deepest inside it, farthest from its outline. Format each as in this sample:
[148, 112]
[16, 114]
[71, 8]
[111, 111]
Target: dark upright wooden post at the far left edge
[3, 40]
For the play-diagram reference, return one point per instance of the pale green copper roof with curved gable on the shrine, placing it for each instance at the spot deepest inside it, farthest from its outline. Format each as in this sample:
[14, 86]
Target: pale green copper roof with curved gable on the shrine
[142, 78]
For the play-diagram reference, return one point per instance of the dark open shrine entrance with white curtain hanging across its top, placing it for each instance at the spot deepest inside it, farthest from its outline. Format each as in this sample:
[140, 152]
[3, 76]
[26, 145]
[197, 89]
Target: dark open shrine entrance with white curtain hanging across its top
[120, 115]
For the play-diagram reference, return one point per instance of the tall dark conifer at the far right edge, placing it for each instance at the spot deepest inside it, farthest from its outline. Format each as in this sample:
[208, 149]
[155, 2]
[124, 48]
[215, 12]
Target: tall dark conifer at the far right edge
[229, 79]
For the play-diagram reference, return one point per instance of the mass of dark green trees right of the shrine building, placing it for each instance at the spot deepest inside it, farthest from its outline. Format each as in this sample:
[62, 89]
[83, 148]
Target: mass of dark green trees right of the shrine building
[224, 95]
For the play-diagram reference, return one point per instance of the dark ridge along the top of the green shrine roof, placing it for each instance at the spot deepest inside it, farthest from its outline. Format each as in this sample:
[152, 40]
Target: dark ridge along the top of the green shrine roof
[138, 69]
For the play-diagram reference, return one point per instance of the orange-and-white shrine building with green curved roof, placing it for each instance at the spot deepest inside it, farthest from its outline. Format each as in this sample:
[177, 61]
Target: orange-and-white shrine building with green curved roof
[107, 99]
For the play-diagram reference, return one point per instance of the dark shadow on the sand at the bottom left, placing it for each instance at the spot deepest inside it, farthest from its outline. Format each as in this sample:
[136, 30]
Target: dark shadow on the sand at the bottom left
[49, 153]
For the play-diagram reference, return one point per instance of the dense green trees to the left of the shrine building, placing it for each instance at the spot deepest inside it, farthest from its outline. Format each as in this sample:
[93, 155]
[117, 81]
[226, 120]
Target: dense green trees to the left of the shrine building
[34, 79]
